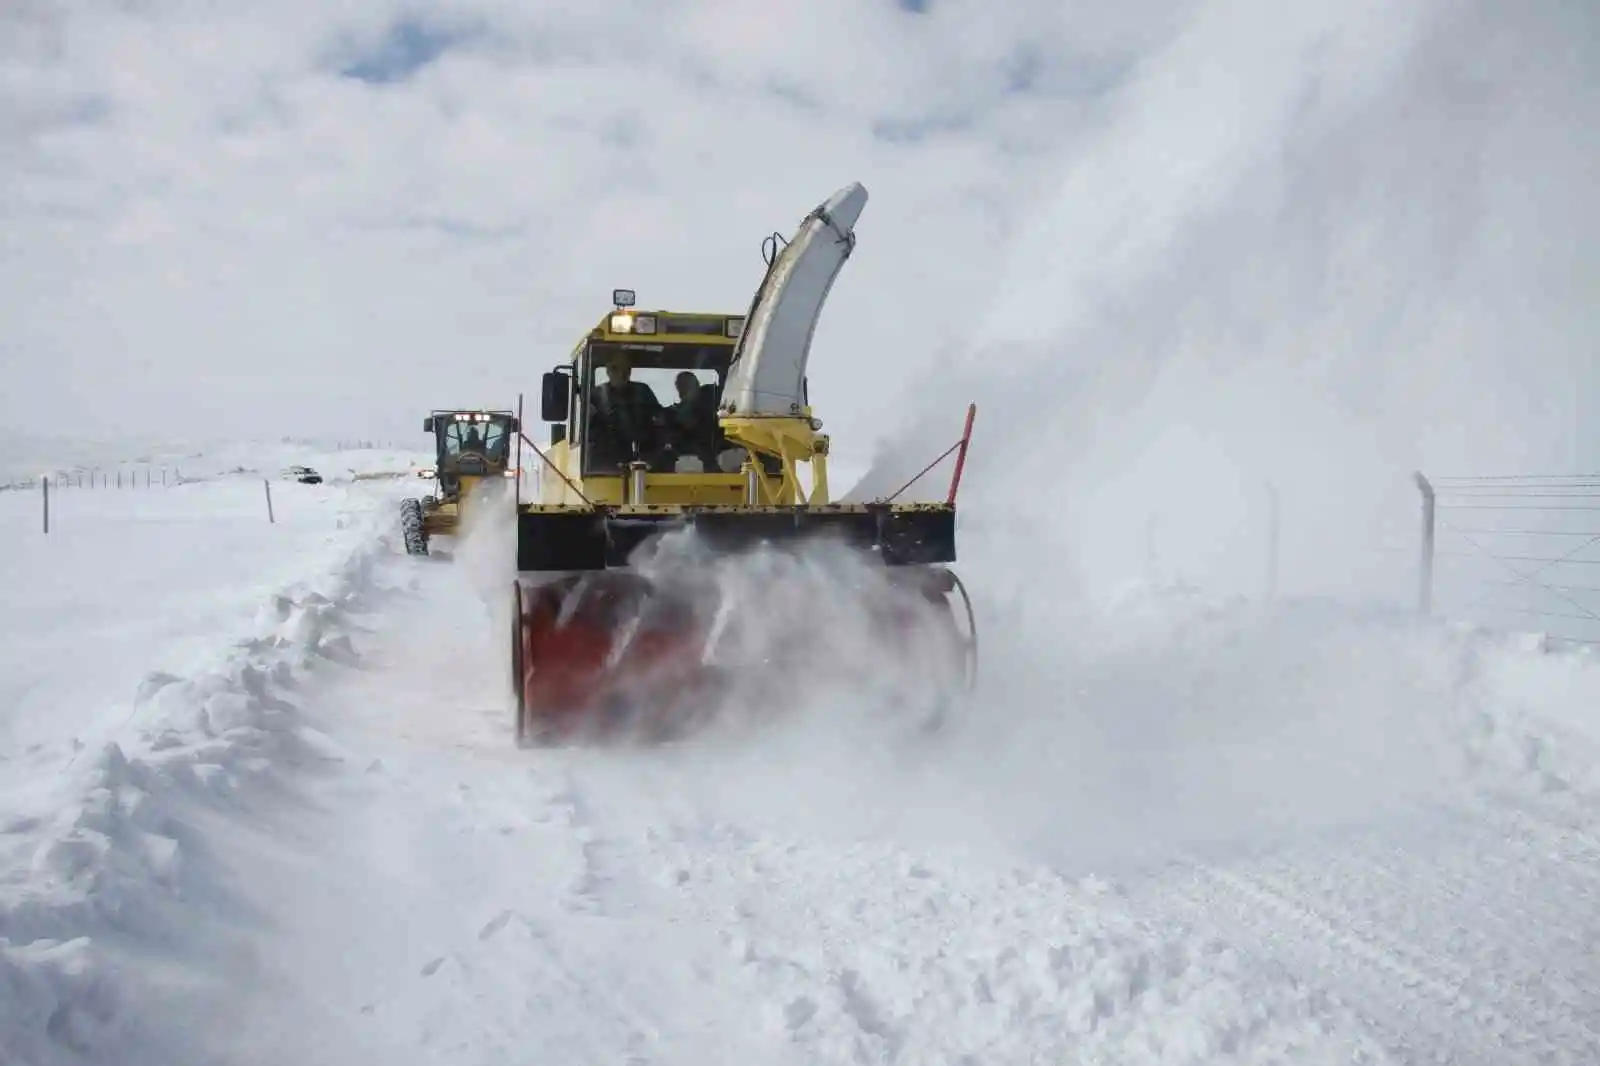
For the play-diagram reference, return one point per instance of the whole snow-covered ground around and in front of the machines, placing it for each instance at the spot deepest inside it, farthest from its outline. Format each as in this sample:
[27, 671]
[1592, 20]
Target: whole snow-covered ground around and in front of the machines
[260, 804]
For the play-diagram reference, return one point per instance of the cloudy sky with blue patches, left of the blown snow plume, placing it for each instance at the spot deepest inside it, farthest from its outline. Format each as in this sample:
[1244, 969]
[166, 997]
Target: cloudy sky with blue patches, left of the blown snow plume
[298, 214]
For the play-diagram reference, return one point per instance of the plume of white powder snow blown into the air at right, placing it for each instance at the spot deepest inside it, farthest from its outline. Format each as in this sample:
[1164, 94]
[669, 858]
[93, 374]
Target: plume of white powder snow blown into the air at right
[1305, 254]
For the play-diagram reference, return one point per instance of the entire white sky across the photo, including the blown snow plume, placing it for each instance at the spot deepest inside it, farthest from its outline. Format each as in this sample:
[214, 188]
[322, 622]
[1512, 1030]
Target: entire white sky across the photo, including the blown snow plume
[1177, 250]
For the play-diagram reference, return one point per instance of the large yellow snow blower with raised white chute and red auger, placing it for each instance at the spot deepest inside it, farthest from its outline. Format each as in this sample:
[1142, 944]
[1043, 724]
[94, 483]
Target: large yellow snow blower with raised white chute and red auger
[694, 428]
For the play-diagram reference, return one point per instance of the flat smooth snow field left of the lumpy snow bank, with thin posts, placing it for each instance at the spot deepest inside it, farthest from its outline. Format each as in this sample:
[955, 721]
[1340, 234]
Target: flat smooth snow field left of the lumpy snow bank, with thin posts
[135, 582]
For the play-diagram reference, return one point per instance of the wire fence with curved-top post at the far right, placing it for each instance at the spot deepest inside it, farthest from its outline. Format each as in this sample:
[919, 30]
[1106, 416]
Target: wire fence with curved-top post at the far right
[1516, 551]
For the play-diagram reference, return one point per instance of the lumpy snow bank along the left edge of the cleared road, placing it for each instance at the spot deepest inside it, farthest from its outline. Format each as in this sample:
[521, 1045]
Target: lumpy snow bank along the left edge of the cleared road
[113, 908]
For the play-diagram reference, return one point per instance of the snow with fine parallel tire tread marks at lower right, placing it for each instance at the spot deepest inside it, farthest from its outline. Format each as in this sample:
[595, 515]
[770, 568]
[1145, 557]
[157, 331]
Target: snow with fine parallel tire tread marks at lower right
[1457, 942]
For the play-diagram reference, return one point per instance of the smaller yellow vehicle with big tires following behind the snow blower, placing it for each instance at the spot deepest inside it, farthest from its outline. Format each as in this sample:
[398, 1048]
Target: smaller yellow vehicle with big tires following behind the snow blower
[471, 451]
